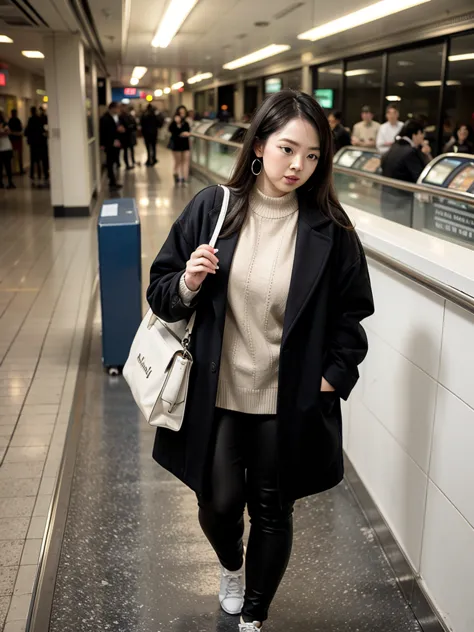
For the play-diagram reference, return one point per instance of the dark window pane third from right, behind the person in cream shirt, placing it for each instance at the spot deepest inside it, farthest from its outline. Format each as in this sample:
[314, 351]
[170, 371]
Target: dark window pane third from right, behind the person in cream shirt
[363, 89]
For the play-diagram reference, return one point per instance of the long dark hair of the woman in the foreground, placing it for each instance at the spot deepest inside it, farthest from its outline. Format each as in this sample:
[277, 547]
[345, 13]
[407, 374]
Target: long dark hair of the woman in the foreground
[274, 113]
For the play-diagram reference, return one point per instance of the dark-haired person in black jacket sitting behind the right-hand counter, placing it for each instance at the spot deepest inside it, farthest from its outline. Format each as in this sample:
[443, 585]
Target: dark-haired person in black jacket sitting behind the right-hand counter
[405, 160]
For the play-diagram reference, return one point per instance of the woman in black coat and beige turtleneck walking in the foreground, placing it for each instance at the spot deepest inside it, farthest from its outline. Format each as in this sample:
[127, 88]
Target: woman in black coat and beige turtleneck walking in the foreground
[276, 344]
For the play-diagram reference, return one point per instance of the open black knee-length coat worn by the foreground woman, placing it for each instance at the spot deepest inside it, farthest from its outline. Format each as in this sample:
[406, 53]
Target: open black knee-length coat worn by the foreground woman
[329, 295]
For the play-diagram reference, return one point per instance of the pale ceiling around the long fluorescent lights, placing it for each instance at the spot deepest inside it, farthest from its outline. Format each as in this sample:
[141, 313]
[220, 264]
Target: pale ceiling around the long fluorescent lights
[215, 32]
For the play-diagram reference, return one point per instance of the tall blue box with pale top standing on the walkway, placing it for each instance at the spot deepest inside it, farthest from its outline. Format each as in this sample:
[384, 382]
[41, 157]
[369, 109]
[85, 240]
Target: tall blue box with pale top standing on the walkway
[120, 279]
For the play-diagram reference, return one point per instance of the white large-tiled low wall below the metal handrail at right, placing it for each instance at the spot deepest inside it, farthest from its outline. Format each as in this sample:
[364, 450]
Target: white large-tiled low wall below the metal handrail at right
[409, 432]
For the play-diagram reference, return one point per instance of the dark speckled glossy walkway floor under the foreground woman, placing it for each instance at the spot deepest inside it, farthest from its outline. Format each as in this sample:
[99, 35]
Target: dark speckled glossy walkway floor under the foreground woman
[134, 558]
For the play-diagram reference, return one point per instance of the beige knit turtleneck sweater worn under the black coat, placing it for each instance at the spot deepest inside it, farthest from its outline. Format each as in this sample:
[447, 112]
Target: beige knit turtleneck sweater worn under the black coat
[259, 281]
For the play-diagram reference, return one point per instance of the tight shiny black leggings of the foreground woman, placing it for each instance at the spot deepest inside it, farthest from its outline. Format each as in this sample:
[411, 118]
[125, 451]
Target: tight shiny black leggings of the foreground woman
[244, 470]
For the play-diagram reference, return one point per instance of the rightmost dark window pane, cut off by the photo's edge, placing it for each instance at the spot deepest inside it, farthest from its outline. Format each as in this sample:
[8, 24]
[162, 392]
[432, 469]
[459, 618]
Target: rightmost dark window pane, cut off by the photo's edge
[459, 97]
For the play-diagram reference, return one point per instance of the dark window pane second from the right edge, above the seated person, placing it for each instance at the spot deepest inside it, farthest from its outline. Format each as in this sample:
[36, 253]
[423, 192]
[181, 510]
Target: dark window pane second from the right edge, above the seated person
[413, 85]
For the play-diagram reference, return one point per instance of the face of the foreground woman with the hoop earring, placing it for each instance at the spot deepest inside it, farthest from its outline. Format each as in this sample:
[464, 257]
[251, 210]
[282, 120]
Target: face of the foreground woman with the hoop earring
[290, 157]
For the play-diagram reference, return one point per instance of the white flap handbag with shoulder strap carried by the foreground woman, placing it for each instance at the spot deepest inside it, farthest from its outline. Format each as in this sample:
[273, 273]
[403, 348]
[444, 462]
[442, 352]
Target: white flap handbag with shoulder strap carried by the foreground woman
[159, 364]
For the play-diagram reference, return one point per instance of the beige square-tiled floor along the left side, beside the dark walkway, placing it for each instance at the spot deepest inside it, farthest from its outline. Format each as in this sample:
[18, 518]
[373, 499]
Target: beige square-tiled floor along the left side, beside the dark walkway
[46, 273]
